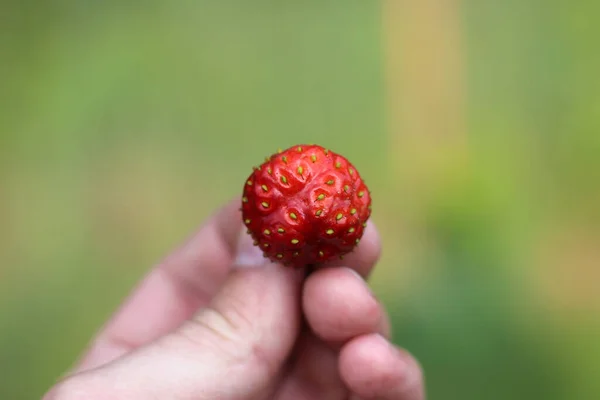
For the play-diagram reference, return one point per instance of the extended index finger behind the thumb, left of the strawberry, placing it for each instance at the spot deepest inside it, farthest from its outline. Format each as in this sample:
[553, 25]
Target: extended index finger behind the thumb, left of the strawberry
[173, 291]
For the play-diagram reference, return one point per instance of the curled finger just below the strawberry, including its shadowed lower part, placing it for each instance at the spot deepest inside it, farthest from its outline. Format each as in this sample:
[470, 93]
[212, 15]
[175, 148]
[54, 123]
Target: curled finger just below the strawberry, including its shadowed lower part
[338, 306]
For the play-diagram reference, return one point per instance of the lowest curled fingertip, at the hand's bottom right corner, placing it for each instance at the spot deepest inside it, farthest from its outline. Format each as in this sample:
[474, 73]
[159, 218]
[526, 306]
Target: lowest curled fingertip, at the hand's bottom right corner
[372, 368]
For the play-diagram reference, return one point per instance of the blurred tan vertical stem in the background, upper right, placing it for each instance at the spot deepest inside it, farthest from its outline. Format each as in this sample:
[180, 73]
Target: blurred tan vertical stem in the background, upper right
[426, 95]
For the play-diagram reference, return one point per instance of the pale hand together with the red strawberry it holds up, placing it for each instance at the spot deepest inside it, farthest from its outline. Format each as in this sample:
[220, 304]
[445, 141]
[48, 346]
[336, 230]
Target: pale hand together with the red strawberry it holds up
[217, 320]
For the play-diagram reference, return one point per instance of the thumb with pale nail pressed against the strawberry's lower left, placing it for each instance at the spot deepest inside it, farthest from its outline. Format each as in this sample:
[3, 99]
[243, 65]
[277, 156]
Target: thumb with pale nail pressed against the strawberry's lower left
[232, 349]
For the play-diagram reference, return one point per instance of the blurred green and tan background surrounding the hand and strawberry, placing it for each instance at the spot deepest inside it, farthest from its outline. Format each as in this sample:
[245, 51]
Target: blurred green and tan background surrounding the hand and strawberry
[476, 124]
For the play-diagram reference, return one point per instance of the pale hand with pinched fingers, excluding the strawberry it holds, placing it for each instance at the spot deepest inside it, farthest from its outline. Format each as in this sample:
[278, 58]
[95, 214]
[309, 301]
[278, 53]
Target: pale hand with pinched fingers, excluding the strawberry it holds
[216, 320]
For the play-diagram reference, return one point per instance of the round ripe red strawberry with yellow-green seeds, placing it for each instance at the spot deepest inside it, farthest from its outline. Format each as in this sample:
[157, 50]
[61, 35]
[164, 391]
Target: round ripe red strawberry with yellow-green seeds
[305, 205]
